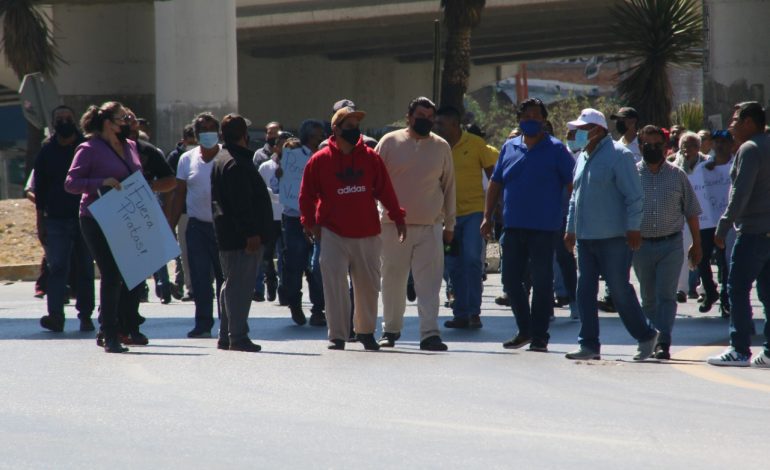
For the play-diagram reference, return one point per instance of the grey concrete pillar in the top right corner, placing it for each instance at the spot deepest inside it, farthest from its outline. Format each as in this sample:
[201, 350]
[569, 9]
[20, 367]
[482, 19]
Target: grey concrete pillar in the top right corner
[737, 64]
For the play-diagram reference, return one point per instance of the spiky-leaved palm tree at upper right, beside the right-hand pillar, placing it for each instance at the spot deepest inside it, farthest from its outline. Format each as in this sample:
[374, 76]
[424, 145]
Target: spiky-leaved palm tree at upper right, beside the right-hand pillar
[656, 35]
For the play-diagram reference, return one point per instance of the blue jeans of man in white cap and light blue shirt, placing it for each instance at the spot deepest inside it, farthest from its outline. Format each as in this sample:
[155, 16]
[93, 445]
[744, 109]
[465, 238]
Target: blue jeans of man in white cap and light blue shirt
[610, 257]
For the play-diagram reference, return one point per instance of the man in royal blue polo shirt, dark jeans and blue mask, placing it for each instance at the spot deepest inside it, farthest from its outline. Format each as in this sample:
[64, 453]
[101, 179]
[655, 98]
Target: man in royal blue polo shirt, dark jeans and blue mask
[532, 172]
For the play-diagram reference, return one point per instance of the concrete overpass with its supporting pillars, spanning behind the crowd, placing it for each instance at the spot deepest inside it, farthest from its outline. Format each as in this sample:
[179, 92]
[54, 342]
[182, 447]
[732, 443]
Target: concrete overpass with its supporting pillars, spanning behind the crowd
[290, 59]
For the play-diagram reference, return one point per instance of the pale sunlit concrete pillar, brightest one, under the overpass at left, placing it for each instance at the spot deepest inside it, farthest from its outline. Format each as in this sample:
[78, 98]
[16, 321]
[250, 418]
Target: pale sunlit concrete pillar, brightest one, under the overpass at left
[196, 63]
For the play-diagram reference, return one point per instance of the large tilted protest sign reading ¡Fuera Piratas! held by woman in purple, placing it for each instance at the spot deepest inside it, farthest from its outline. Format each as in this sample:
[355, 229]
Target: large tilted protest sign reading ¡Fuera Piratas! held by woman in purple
[136, 229]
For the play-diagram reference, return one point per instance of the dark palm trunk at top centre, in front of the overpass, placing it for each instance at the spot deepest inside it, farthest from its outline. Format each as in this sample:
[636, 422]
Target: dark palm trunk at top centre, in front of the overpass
[460, 17]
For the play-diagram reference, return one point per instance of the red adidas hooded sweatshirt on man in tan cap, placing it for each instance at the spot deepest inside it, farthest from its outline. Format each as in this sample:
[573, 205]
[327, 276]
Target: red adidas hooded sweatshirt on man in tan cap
[340, 192]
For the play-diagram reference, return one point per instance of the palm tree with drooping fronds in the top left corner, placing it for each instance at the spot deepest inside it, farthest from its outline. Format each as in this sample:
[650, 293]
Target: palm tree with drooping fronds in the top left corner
[28, 46]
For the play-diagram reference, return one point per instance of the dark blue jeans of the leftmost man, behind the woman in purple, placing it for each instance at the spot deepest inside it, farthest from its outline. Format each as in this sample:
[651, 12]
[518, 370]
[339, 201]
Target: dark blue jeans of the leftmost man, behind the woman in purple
[64, 243]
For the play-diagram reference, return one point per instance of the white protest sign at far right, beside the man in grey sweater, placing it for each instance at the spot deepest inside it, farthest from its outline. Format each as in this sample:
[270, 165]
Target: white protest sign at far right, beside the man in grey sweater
[712, 187]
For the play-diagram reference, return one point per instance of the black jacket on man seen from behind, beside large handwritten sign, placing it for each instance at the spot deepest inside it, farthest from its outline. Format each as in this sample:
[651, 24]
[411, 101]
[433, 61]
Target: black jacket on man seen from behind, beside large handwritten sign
[240, 202]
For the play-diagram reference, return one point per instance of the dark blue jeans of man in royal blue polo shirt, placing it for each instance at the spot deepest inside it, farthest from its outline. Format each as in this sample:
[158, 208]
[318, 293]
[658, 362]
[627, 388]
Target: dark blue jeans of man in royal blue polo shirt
[533, 249]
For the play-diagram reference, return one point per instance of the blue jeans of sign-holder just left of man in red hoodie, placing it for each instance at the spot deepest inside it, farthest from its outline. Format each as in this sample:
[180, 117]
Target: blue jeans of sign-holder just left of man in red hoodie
[298, 255]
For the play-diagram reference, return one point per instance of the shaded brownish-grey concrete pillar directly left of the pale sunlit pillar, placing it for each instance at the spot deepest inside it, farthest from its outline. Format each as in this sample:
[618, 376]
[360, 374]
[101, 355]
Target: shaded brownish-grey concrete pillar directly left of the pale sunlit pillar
[109, 51]
